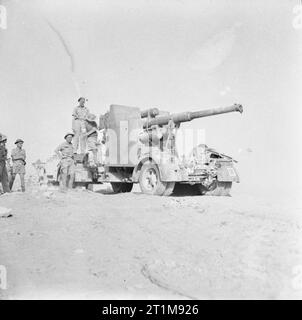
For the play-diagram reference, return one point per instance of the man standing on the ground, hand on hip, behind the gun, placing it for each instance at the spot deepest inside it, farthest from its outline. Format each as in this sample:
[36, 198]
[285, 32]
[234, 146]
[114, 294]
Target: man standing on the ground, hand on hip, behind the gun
[67, 168]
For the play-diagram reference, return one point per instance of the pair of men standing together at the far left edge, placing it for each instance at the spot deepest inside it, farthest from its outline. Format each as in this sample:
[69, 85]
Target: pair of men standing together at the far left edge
[8, 172]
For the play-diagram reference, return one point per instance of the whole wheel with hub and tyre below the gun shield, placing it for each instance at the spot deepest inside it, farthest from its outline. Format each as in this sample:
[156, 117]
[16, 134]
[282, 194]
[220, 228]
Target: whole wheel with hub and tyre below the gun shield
[150, 183]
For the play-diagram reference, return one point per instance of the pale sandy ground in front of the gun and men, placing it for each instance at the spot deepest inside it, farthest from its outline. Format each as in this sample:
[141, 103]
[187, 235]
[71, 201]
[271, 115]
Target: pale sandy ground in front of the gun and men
[95, 245]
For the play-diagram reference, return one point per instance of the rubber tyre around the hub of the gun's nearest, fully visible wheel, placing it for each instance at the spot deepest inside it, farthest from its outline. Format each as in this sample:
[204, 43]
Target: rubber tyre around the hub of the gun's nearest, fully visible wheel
[161, 186]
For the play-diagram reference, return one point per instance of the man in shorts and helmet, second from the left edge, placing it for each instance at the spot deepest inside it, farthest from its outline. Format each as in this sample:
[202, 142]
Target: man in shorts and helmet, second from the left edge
[18, 158]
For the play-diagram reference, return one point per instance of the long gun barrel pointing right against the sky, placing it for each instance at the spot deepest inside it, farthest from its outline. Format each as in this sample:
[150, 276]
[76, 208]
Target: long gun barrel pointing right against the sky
[188, 116]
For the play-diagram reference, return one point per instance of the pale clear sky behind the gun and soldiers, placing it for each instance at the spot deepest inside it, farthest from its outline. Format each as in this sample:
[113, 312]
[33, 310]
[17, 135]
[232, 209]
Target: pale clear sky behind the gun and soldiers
[172, 54]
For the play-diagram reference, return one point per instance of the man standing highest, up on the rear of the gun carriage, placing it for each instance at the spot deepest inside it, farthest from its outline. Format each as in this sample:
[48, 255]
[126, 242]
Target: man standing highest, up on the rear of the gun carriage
[78, 125]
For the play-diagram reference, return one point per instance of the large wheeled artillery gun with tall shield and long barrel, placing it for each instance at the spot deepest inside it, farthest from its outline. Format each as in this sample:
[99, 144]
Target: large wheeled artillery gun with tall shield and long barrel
[140, 147]
